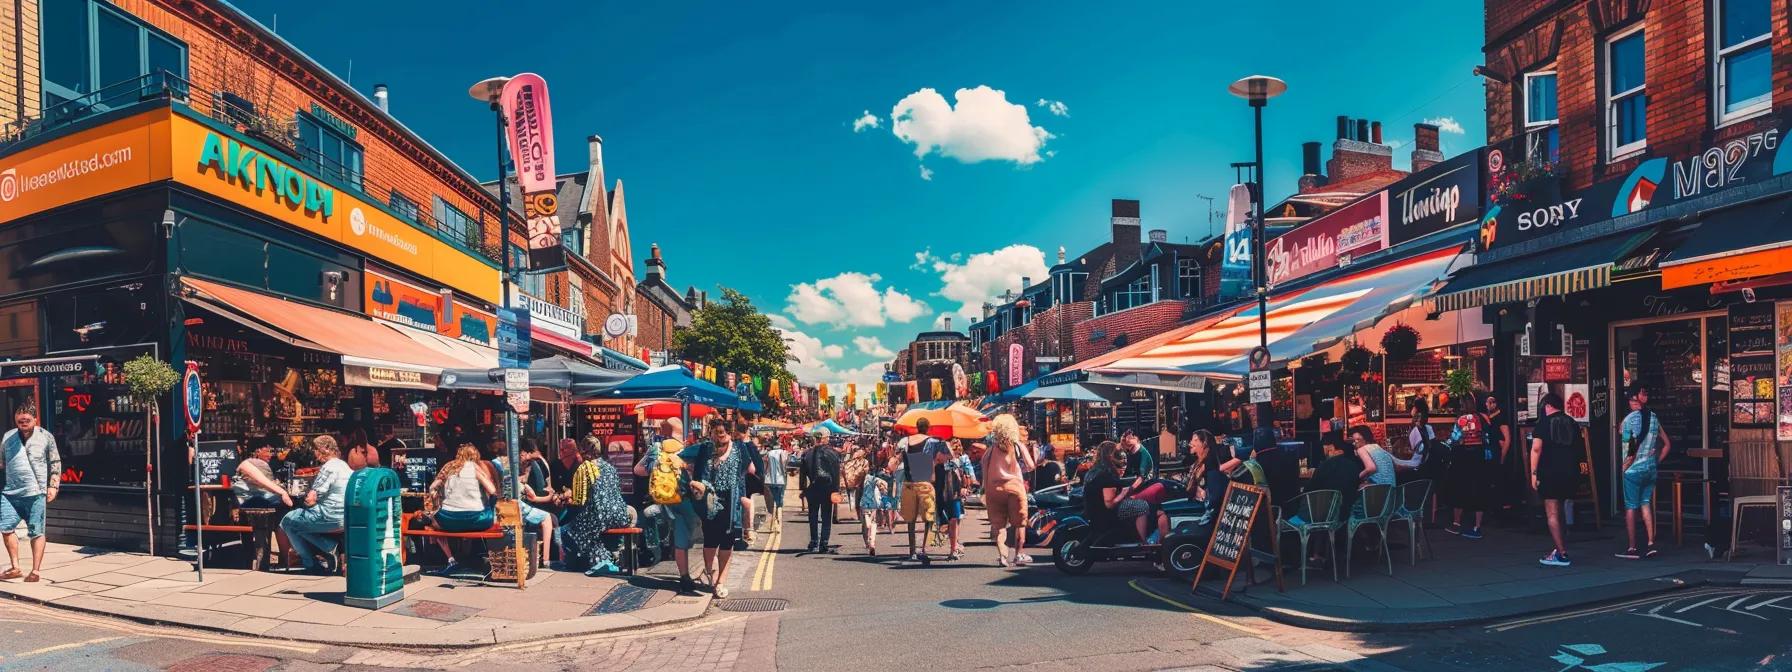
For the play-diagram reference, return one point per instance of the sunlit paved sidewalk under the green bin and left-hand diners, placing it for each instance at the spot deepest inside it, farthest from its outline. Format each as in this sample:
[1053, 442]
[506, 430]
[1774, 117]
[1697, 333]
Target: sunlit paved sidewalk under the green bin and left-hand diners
[291, 607]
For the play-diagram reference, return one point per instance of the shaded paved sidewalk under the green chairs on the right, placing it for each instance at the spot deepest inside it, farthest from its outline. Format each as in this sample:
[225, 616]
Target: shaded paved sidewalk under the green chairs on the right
[1470, 582]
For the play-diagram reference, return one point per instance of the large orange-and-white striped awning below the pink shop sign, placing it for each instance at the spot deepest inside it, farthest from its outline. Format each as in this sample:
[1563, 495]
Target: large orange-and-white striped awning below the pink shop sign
[1298, 322]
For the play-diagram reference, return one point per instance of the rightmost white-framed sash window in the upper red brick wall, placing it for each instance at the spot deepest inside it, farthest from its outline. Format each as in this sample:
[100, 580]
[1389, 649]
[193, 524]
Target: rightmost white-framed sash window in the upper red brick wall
[1745, 62]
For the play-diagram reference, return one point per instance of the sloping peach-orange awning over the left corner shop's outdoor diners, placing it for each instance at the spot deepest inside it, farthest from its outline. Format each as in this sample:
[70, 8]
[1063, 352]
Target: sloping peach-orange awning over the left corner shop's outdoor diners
[374, 354]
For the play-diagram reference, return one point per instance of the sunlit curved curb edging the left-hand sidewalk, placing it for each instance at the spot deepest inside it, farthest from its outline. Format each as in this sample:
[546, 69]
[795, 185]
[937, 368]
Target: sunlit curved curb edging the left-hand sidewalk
[395, 639]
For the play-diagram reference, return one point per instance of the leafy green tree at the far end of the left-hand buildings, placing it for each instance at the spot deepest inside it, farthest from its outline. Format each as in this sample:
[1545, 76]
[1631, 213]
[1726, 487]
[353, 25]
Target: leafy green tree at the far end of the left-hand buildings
[734, 336]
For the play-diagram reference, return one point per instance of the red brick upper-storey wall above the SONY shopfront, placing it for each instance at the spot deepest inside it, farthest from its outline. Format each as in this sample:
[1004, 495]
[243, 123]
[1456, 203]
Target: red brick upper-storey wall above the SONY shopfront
[1567, 37]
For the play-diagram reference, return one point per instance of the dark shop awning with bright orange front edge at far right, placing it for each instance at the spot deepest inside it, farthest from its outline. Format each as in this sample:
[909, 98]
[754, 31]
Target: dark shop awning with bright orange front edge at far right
[1734, 245]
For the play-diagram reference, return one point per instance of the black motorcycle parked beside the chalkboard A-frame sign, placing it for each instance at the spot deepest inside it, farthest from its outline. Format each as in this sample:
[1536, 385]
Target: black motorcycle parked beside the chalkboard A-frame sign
[1078, 544]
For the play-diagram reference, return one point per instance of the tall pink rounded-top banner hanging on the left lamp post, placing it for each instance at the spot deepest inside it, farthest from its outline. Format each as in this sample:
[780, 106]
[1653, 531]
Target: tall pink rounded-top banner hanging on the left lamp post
[531, 134]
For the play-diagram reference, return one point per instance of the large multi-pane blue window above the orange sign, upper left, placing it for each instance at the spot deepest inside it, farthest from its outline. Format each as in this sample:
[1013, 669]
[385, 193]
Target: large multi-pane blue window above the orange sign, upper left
[90, 47]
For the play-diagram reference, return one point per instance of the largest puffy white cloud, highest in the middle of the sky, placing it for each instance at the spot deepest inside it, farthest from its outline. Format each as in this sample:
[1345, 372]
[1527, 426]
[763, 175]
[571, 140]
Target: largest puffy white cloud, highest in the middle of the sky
[985, 126]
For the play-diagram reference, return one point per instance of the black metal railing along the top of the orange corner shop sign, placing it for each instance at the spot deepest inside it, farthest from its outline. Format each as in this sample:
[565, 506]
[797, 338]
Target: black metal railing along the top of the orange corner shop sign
[245, 117]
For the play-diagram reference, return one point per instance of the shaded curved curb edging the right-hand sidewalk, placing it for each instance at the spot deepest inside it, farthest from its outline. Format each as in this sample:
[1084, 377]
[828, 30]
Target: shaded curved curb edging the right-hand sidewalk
[1434, 619]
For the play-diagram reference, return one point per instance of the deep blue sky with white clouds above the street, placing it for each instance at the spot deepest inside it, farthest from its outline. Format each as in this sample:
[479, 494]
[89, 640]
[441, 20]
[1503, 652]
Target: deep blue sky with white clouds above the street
[734, 126]
